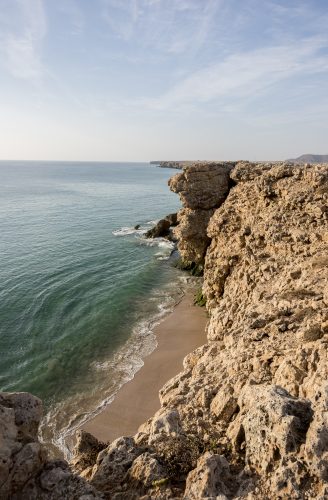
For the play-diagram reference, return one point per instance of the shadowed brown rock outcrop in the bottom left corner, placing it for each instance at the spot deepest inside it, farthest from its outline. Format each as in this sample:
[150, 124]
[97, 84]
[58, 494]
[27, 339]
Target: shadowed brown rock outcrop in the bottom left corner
[25, 471]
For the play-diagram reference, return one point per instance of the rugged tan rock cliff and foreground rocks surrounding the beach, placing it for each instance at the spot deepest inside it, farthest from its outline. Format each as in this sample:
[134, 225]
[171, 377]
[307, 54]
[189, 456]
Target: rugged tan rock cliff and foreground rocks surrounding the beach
[247, 418]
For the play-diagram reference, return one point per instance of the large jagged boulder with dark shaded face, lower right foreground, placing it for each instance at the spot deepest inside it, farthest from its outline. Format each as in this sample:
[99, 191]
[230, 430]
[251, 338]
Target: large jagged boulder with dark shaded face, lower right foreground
[272, 423]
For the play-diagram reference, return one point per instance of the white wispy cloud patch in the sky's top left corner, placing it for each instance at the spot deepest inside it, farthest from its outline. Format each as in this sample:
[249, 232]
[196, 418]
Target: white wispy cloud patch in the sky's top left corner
[22, 32]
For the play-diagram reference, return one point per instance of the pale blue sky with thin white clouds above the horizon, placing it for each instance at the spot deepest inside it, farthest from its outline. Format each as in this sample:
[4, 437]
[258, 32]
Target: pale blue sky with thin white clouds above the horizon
[140, 80]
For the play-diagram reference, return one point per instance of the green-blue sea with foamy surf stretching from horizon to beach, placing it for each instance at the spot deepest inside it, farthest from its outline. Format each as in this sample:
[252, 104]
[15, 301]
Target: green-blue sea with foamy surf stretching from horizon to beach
[81, 289]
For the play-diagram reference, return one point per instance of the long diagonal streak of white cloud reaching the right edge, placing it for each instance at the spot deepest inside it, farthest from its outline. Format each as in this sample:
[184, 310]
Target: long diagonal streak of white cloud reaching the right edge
[241, 75]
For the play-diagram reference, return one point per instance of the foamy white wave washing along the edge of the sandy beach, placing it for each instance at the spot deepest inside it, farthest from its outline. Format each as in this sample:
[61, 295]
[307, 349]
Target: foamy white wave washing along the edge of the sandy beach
[113, 373]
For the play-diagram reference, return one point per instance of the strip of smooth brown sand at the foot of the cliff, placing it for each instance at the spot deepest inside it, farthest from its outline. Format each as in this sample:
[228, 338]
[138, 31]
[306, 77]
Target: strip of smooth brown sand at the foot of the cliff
[180, 332]
